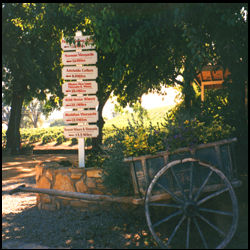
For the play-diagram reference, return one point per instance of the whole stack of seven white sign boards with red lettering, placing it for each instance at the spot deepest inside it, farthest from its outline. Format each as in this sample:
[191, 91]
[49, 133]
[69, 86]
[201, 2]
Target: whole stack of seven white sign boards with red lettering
[79, 87]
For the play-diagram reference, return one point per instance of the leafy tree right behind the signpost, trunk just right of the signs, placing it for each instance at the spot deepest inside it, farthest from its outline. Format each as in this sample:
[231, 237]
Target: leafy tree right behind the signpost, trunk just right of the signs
[135, 51]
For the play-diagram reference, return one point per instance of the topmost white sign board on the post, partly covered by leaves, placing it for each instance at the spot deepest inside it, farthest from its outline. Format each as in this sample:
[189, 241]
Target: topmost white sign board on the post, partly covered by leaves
[78, 39]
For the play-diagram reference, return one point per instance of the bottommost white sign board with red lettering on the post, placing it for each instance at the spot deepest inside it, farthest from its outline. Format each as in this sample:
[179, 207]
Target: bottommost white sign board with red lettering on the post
[81, 131]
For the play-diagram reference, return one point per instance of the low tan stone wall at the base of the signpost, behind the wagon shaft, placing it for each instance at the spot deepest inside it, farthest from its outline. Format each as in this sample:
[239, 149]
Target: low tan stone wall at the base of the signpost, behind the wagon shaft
[52, 175]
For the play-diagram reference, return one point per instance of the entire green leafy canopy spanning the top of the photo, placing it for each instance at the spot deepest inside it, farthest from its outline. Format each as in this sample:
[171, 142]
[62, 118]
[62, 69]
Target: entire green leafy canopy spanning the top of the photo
[140, 46]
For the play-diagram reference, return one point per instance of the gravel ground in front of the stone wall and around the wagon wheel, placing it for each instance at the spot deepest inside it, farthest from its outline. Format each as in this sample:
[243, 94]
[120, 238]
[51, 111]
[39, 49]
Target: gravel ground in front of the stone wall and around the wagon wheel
[114, 227]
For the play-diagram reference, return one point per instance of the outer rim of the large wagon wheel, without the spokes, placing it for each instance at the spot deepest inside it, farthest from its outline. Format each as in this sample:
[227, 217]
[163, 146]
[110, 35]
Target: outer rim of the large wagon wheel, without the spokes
[220, 174]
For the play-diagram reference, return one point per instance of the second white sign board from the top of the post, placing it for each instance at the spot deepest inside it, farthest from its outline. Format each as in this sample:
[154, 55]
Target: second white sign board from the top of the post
[83, 57]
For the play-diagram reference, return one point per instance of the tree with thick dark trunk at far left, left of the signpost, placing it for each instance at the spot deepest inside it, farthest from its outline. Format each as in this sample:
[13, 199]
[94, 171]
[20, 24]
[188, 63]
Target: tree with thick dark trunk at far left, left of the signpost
[31, 65]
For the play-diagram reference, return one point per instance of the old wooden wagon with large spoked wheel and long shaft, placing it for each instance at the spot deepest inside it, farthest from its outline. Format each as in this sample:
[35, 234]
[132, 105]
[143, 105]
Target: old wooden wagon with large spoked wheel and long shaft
[188, 194]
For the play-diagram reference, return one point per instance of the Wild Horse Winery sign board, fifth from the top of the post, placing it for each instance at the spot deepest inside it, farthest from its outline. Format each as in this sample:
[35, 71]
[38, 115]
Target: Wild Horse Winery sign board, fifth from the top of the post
[80, 102]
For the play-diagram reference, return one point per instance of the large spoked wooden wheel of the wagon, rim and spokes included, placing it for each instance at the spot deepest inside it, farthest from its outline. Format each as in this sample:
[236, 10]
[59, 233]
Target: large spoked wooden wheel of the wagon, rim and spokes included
[191, 204]
